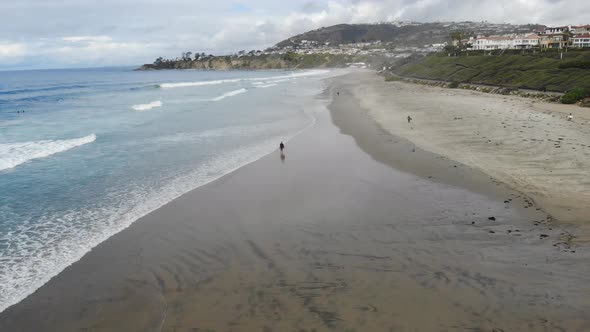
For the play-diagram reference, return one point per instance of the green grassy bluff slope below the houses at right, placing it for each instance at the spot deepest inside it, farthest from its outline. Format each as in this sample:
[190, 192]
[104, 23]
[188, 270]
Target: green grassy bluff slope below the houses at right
[539, 71]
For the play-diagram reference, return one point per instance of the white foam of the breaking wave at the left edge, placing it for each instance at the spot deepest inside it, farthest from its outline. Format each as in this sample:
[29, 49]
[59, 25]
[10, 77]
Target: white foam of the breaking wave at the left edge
[14, 154]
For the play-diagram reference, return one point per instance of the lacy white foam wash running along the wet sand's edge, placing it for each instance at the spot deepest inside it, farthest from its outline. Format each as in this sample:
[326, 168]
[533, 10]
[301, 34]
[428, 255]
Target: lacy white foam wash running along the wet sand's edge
[81, 230]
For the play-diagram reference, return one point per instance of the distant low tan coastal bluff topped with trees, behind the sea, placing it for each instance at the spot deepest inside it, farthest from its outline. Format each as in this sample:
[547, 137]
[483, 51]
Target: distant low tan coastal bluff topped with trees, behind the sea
[257, 62]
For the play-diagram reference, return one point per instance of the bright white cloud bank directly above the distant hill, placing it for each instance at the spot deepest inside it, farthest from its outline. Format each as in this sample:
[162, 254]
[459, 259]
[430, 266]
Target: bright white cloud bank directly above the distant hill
[250, 31]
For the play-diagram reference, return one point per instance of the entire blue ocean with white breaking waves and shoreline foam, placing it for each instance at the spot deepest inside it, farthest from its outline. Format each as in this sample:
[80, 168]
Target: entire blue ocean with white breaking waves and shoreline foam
[86, 152]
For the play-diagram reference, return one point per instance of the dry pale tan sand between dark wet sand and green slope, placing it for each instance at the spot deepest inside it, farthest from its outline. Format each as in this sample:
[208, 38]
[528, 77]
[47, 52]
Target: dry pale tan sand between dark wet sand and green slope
[526, 144]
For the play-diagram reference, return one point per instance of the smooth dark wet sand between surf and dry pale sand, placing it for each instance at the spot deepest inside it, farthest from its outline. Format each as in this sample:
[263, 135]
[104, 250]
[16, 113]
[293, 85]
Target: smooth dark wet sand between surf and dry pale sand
[363, 234]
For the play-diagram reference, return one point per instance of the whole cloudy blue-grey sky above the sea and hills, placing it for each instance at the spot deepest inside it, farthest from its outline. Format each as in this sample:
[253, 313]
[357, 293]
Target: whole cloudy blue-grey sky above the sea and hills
[89, 33]
